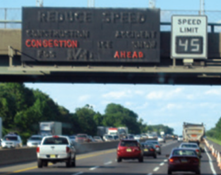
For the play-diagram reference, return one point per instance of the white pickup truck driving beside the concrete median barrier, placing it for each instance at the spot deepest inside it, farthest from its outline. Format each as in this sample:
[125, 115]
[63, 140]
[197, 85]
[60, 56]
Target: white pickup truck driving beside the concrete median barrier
[56, 149]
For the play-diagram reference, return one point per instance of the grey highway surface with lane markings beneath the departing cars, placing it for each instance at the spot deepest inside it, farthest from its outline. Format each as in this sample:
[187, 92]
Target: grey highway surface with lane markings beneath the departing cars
[104, 163]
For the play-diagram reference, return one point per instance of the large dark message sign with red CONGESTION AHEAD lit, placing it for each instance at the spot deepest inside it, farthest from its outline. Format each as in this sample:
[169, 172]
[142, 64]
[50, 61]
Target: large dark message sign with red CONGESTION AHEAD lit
[90, 35]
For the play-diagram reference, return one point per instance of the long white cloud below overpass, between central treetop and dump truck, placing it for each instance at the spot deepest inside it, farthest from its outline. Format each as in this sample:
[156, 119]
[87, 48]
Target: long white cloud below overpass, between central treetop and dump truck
[156, 95]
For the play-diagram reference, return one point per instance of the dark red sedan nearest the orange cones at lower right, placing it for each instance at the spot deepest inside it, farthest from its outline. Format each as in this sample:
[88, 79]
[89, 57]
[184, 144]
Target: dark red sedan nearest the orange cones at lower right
[183, 159]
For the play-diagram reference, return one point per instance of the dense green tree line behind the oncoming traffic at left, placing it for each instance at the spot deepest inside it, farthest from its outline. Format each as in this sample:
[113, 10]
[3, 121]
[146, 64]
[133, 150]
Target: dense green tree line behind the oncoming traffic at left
[22, 109]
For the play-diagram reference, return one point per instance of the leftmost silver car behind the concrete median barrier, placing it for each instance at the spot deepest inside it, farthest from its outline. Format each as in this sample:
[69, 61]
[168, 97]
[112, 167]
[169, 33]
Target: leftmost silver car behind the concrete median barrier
[11, 141]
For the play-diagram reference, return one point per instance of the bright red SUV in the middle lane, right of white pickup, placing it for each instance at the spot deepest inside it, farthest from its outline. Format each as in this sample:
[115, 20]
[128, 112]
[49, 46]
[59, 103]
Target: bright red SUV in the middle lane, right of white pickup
[129, 149]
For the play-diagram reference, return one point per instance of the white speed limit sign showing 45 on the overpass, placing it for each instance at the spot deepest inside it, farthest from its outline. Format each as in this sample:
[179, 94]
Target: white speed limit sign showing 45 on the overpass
[189, 37]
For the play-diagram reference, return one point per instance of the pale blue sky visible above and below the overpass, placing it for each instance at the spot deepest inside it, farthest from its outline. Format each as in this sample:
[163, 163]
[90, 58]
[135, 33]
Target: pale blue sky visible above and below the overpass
[156, 104]
